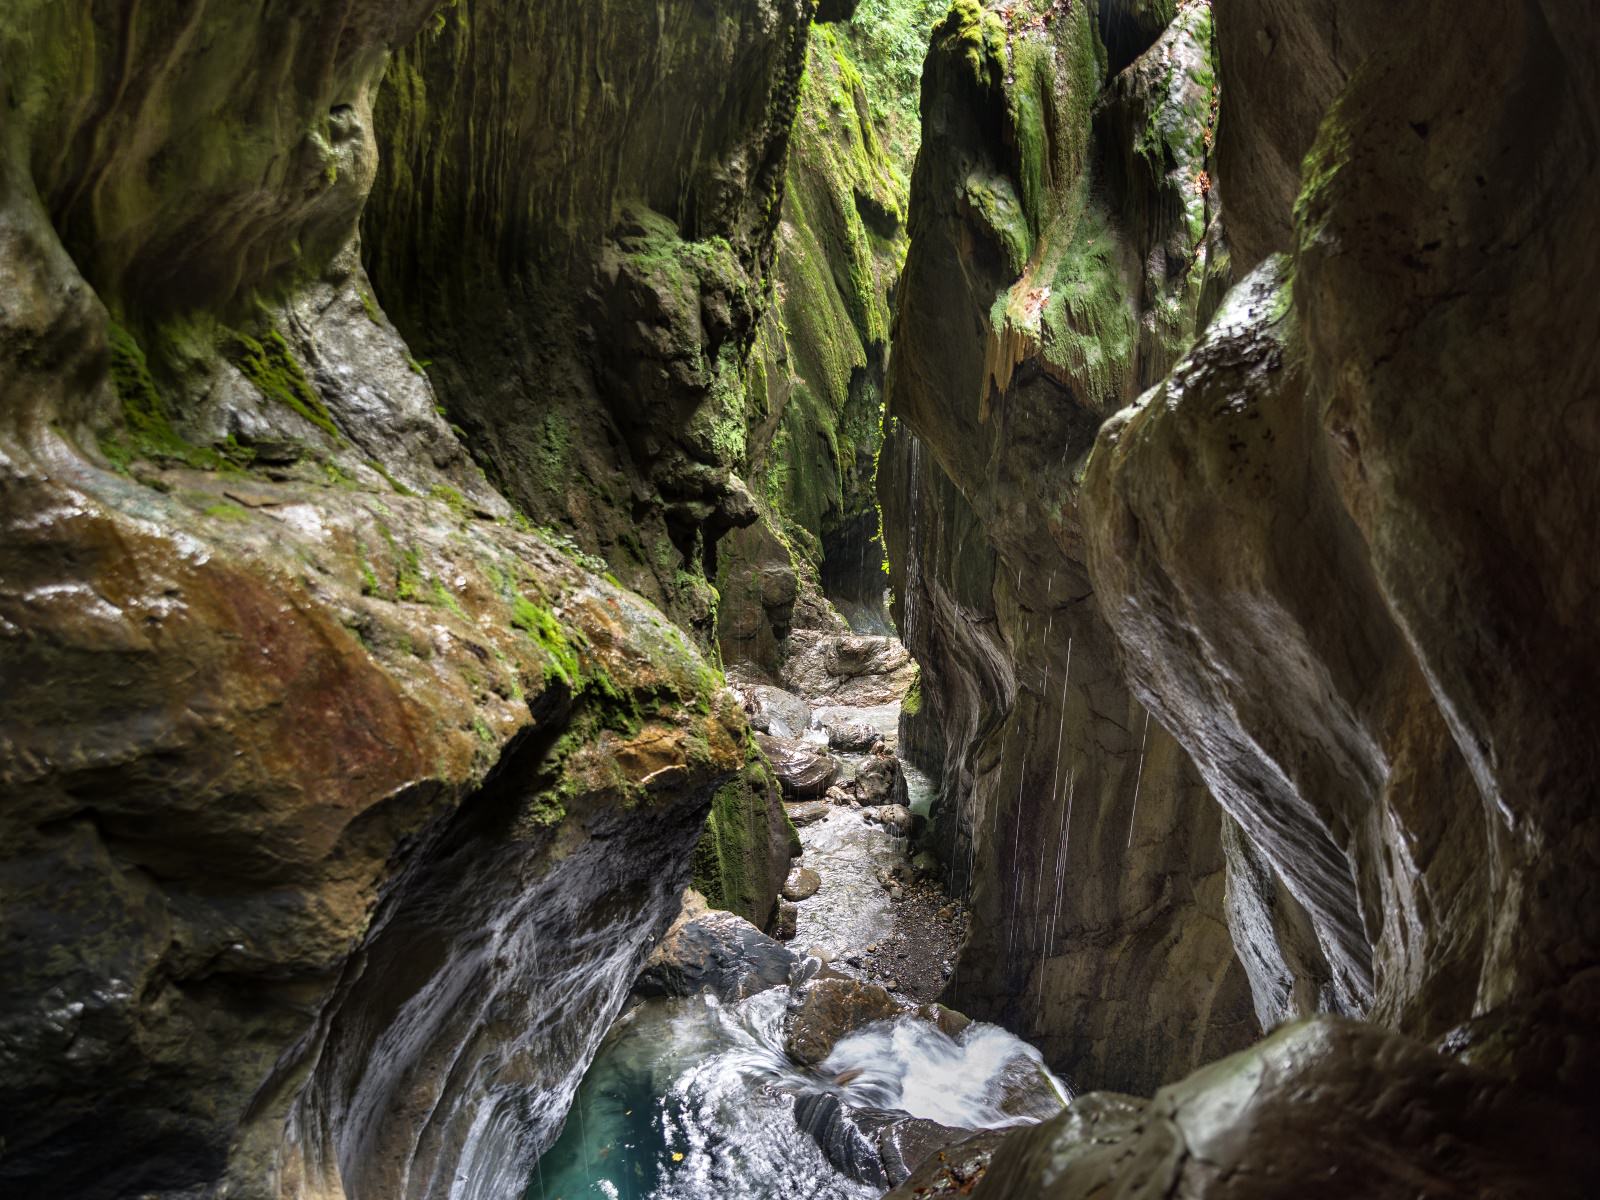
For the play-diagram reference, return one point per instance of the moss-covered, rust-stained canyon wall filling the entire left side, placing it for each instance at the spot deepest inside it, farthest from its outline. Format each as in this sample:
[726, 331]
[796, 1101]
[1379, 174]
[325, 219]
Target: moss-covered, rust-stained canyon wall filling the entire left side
[340, 801]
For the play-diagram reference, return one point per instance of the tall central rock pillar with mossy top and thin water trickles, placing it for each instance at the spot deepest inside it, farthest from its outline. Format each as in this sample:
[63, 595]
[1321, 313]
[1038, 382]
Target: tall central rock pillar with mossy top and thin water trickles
[1060, 258]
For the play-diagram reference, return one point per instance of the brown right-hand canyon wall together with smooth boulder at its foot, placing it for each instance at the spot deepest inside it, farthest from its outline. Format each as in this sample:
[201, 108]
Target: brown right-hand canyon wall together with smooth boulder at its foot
[1345, 548]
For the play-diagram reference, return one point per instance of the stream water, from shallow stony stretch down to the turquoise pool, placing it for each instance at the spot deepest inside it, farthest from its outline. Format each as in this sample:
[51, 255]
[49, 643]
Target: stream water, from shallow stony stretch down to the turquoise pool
[697, 1100]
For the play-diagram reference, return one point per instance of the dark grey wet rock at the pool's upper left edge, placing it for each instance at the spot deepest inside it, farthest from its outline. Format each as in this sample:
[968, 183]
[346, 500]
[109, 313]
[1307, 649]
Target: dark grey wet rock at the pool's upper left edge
[718, 953]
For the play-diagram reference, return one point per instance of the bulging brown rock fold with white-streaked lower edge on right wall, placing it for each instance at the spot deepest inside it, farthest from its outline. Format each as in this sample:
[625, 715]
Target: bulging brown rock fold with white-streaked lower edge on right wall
[1313, 722]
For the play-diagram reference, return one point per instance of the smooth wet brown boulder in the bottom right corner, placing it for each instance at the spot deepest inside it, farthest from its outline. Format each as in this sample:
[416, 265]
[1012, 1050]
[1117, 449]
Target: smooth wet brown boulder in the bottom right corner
[1338, 1108]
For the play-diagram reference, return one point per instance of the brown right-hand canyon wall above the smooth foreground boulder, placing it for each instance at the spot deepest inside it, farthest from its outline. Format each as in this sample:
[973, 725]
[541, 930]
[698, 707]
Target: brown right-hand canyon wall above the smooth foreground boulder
[1340, 545]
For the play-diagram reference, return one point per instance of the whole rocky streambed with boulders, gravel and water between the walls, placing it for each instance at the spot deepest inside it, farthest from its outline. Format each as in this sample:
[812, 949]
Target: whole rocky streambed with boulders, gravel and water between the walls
[814, 1063]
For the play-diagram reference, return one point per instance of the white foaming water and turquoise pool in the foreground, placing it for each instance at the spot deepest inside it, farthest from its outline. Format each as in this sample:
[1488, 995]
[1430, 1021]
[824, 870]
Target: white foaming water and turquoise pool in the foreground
[694, 1100]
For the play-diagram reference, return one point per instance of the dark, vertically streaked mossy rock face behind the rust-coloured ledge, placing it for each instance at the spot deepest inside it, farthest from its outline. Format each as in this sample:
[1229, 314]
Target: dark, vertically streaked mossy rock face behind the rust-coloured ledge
[585, 282]
